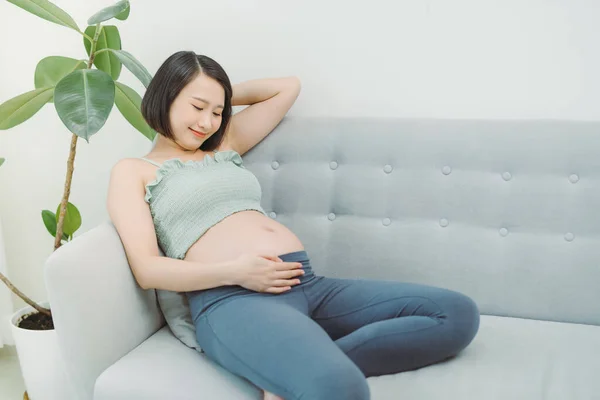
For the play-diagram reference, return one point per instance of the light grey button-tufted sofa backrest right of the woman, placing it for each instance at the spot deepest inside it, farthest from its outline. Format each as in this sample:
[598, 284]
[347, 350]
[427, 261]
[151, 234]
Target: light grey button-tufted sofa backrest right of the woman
[506, 212]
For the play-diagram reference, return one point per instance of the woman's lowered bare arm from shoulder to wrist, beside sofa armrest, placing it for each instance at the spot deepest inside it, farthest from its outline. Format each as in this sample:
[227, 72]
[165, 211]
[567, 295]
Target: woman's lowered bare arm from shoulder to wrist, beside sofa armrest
[131, 216]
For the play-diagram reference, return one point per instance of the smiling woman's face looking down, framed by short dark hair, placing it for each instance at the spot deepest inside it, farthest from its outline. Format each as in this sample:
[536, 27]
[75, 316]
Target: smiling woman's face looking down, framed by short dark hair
[196, 112]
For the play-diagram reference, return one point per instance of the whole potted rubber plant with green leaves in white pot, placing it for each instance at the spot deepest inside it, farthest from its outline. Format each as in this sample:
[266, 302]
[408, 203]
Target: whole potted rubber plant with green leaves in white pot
[83, 97]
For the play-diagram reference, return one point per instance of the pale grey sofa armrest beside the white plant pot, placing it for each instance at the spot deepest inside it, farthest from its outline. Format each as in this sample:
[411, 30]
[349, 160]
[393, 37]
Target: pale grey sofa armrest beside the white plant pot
[100, 313]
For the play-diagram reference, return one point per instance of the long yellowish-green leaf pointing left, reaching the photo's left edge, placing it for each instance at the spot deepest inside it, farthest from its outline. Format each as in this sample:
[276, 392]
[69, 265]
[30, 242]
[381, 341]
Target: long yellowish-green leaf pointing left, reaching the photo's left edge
[19, 109]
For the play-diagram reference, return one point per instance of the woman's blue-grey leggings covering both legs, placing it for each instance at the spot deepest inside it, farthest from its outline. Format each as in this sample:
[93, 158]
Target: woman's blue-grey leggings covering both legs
[325, 336]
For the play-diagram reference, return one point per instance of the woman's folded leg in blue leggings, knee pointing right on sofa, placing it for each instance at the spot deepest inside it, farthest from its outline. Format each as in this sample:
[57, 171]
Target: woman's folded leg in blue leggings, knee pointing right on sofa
[388, 327]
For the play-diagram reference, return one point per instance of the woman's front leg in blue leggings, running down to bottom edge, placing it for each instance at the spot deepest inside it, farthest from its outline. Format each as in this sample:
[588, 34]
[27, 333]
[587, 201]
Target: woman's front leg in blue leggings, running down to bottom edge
[270, 340]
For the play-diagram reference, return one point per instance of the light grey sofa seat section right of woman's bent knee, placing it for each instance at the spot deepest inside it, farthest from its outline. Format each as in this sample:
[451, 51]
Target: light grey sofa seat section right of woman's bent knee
[510, 358]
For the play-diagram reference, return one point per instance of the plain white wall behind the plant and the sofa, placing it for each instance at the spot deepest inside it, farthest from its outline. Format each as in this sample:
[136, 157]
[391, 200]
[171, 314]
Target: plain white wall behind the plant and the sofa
[436, 58]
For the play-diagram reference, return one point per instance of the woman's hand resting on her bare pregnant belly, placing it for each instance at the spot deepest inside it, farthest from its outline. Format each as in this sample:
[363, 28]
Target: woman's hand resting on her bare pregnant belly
[265, 273]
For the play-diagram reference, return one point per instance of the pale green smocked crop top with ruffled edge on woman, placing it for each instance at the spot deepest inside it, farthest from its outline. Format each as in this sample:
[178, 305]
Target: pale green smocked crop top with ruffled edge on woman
[187, 198]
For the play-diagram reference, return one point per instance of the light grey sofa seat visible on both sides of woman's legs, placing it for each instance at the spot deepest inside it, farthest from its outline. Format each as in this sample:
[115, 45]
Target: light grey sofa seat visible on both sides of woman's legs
[510, 358]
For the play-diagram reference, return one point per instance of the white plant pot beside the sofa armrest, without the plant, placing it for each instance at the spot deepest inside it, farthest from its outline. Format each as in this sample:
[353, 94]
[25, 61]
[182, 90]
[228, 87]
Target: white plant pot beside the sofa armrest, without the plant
[41, 362]
